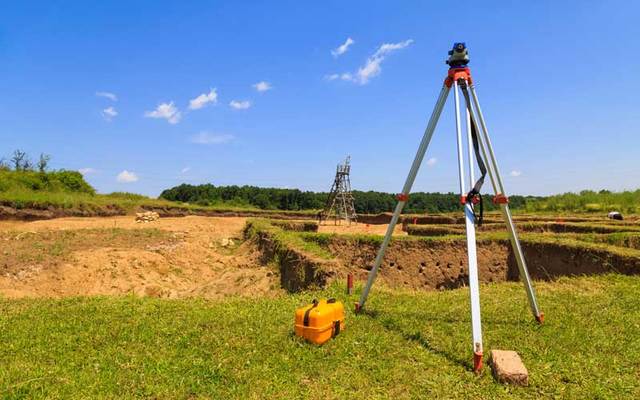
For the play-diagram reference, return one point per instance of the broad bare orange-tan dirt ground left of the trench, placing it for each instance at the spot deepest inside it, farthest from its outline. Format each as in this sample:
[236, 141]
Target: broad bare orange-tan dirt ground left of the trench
[172, 257]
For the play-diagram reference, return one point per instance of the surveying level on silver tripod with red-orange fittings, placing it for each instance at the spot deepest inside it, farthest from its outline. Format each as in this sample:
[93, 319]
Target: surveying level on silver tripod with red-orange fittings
[479, 146]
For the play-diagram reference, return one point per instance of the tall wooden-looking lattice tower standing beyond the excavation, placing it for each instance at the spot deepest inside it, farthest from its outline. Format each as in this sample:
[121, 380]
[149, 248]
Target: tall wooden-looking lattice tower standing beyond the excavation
[340, 201]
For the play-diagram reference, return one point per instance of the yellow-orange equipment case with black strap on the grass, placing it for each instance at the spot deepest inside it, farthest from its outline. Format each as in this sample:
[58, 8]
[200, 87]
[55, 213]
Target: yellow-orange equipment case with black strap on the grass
[320, 321]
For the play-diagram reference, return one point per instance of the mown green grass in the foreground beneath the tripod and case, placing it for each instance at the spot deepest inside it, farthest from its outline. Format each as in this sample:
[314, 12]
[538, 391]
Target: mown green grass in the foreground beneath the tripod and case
[409, 345]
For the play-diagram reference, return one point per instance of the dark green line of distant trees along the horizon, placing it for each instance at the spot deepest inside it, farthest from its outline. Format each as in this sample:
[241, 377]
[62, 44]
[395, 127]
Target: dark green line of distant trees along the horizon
[370, 202]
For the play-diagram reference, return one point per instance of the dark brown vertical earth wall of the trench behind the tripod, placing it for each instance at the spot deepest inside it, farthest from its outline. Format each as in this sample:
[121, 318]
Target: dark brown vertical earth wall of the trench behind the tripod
[442, 264]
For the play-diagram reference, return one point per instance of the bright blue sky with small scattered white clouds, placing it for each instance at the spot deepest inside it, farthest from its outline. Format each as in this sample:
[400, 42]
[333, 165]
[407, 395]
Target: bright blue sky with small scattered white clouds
[556, 81]
